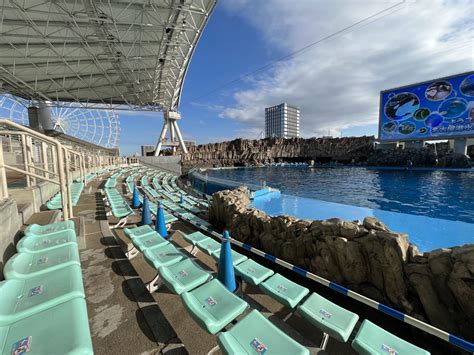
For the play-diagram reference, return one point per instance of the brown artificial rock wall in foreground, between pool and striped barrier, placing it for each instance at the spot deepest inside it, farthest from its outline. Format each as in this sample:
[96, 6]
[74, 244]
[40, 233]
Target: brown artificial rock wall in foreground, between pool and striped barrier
[367, 257]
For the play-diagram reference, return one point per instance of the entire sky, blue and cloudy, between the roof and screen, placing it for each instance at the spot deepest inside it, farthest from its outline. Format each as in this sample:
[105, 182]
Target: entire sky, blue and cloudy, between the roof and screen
[336, 83]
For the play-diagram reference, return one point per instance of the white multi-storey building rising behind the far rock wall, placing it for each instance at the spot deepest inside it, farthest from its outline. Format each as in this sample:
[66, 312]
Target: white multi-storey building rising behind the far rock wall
[283, 121]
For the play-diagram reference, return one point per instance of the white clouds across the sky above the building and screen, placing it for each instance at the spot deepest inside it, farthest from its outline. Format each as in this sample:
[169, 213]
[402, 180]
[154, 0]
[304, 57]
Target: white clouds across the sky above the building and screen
[336, 84]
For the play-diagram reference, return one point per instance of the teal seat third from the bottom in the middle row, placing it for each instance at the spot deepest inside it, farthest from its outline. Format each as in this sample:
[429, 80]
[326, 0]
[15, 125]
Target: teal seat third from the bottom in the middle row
[183, 276]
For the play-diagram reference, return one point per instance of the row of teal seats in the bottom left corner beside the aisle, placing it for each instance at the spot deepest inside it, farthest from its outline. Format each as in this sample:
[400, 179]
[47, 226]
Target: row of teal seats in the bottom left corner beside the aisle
[43, 308]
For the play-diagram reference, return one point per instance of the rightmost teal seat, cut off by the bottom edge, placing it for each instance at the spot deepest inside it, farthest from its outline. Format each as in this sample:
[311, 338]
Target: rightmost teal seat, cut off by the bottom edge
[372, 339]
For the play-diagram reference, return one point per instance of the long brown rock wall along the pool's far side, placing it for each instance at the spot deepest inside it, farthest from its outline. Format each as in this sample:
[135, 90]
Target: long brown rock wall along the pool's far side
[244, 152]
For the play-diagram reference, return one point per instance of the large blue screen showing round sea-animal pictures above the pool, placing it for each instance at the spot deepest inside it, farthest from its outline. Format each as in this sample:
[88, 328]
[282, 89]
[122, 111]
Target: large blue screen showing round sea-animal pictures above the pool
[436, 109]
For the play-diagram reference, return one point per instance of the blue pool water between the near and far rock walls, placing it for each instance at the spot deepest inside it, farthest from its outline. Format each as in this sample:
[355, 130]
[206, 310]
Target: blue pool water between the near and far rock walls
[436, 208]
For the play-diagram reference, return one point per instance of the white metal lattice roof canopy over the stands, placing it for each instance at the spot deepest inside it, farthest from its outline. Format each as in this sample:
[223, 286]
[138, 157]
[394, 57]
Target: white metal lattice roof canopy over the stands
[114, 54]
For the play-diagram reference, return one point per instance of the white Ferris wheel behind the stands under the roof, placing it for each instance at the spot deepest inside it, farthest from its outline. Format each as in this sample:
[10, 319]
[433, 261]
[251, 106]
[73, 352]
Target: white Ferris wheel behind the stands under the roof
[101, 127]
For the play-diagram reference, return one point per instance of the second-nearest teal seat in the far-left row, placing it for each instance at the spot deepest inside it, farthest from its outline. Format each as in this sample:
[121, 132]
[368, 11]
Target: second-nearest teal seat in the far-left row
[22, 298]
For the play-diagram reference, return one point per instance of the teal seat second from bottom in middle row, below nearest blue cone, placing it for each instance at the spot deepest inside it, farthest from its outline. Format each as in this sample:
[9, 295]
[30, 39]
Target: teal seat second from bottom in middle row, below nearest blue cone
[212, 306]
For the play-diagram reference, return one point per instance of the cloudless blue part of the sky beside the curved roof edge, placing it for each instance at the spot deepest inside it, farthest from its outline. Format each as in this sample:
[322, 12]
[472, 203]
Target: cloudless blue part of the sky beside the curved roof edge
[219, 58]
